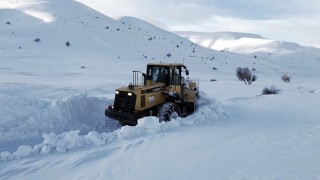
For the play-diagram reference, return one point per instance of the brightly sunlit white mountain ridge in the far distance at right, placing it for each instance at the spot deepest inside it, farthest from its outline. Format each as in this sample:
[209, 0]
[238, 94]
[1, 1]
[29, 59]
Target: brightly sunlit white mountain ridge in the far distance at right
[243, 43]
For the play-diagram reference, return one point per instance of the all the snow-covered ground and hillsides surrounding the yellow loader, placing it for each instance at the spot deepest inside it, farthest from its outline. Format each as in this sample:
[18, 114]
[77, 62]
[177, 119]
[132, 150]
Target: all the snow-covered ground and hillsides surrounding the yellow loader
[53, 96]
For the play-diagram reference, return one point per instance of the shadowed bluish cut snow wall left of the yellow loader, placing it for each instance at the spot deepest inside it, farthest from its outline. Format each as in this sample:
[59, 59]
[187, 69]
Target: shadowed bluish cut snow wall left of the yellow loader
[22, 119]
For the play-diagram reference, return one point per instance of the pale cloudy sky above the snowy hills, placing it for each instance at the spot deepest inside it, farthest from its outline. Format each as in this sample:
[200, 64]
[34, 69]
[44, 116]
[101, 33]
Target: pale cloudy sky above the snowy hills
[285, 20]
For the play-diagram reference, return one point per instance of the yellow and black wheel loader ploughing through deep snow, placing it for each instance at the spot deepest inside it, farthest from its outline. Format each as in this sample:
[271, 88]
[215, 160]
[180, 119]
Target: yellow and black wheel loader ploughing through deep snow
[161, 91]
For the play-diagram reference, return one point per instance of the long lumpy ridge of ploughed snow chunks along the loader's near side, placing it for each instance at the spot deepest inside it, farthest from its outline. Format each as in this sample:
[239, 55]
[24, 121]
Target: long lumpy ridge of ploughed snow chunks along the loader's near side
[208, 111]
